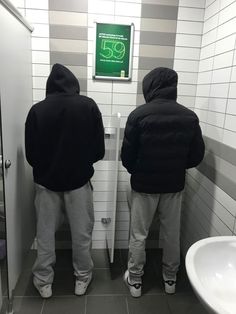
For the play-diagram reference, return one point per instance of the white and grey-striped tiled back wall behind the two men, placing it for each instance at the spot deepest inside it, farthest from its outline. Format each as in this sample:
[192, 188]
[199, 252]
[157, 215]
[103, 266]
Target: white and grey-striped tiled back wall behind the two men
[64, 34]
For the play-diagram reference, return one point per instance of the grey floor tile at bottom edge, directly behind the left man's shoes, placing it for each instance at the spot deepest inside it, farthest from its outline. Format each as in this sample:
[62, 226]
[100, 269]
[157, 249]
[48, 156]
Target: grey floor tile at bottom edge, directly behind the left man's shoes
[64, 305]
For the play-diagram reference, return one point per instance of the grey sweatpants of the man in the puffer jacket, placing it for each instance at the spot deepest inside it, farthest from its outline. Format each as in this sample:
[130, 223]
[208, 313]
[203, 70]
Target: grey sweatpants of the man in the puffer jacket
[143, 210]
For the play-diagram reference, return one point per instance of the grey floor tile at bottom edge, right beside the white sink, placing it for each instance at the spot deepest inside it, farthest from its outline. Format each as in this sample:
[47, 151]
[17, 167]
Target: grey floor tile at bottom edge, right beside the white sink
[185, 304]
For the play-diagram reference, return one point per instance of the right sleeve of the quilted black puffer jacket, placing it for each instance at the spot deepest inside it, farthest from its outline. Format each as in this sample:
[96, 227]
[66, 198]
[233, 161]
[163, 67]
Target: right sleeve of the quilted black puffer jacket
[197, 149]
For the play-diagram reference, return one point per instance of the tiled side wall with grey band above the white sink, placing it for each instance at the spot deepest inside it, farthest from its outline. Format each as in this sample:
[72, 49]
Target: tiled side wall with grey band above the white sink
[210, 198]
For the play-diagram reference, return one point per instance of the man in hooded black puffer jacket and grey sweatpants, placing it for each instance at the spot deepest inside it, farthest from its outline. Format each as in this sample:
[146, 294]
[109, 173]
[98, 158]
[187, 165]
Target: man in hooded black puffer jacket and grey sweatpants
[162, 139]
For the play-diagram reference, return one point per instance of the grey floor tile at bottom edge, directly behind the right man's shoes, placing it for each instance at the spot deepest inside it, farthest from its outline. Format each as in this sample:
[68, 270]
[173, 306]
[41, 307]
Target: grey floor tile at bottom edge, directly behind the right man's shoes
[150, 304]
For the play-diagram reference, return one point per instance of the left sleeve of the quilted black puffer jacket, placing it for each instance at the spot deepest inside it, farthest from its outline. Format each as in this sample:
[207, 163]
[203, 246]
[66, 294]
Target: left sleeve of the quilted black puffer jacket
[129, 149]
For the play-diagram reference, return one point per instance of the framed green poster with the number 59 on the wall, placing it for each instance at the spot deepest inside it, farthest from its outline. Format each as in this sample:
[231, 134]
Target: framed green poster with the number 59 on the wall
[113, 51]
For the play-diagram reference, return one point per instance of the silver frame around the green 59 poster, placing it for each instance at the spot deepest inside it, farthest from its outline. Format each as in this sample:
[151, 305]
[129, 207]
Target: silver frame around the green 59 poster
[130, 54]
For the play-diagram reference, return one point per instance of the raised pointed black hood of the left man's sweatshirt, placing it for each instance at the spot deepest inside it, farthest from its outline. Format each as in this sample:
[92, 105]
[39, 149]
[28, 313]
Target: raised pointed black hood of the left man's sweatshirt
[62, 80]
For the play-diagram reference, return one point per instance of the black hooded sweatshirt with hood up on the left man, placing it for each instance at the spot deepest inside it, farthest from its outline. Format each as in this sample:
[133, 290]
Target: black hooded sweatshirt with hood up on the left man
[64, 134]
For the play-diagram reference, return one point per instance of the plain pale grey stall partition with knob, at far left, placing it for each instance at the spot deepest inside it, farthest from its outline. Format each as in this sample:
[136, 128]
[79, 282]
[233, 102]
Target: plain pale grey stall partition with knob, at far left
[16, 99]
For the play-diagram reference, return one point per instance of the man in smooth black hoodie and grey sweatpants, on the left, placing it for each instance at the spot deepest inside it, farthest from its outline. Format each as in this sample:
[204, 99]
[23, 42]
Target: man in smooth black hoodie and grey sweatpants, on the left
[64, 136]
